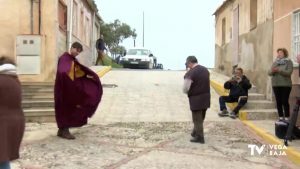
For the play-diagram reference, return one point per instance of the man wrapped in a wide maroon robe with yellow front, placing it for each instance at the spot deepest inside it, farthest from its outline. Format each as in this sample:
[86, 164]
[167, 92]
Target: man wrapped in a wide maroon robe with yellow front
[77, 92]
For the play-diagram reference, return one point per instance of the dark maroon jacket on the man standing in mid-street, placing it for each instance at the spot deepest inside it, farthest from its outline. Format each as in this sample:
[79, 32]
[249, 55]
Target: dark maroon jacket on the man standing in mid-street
[199, 93]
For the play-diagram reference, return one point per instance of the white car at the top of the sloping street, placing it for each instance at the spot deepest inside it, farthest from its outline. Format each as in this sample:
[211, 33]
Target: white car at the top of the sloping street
[138, 57]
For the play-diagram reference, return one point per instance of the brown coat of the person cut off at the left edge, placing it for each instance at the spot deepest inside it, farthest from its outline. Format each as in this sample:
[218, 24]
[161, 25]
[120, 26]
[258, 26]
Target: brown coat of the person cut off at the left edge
[12, 121]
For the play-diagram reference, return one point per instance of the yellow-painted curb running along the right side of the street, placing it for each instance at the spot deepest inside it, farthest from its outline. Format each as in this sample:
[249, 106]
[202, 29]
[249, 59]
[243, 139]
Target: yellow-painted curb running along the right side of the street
[292, 154]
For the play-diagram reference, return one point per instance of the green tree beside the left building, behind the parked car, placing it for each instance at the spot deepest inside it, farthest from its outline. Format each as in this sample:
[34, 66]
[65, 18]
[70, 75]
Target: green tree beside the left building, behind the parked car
[114, 33]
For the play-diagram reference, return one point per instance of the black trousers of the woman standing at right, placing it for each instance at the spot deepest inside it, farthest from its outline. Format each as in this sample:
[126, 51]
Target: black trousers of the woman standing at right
[282, 95]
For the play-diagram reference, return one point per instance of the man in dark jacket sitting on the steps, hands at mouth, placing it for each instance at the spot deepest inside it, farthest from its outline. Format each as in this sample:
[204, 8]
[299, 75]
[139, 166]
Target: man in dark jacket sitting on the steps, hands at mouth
[238, 85]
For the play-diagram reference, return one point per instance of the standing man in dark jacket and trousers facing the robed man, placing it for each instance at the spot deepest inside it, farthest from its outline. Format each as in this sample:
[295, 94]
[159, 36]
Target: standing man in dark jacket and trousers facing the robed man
[197, 87]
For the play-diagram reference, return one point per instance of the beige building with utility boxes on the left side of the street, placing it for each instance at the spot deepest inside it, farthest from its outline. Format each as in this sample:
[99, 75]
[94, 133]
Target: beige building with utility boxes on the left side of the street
[36, 32]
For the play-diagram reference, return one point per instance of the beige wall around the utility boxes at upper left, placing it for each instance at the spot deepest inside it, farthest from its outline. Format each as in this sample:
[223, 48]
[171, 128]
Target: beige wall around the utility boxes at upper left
[15, 20]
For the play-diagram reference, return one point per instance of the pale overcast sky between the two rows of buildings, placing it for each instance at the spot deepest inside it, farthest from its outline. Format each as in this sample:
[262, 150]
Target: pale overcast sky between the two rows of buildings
[174, 29]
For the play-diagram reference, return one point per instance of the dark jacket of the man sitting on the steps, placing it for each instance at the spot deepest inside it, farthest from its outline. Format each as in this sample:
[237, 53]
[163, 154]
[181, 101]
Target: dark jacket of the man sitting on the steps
[238, 89]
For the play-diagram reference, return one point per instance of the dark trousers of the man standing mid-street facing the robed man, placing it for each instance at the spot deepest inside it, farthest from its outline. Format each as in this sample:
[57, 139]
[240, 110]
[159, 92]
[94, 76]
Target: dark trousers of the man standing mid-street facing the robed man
[198, 119]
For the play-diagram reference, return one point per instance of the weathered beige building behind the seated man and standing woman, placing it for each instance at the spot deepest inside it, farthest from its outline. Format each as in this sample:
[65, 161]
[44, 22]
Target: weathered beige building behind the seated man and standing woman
[248, 32]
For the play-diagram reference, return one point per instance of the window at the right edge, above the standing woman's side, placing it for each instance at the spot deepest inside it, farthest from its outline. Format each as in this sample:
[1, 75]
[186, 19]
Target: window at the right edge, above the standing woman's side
[296, 34]
